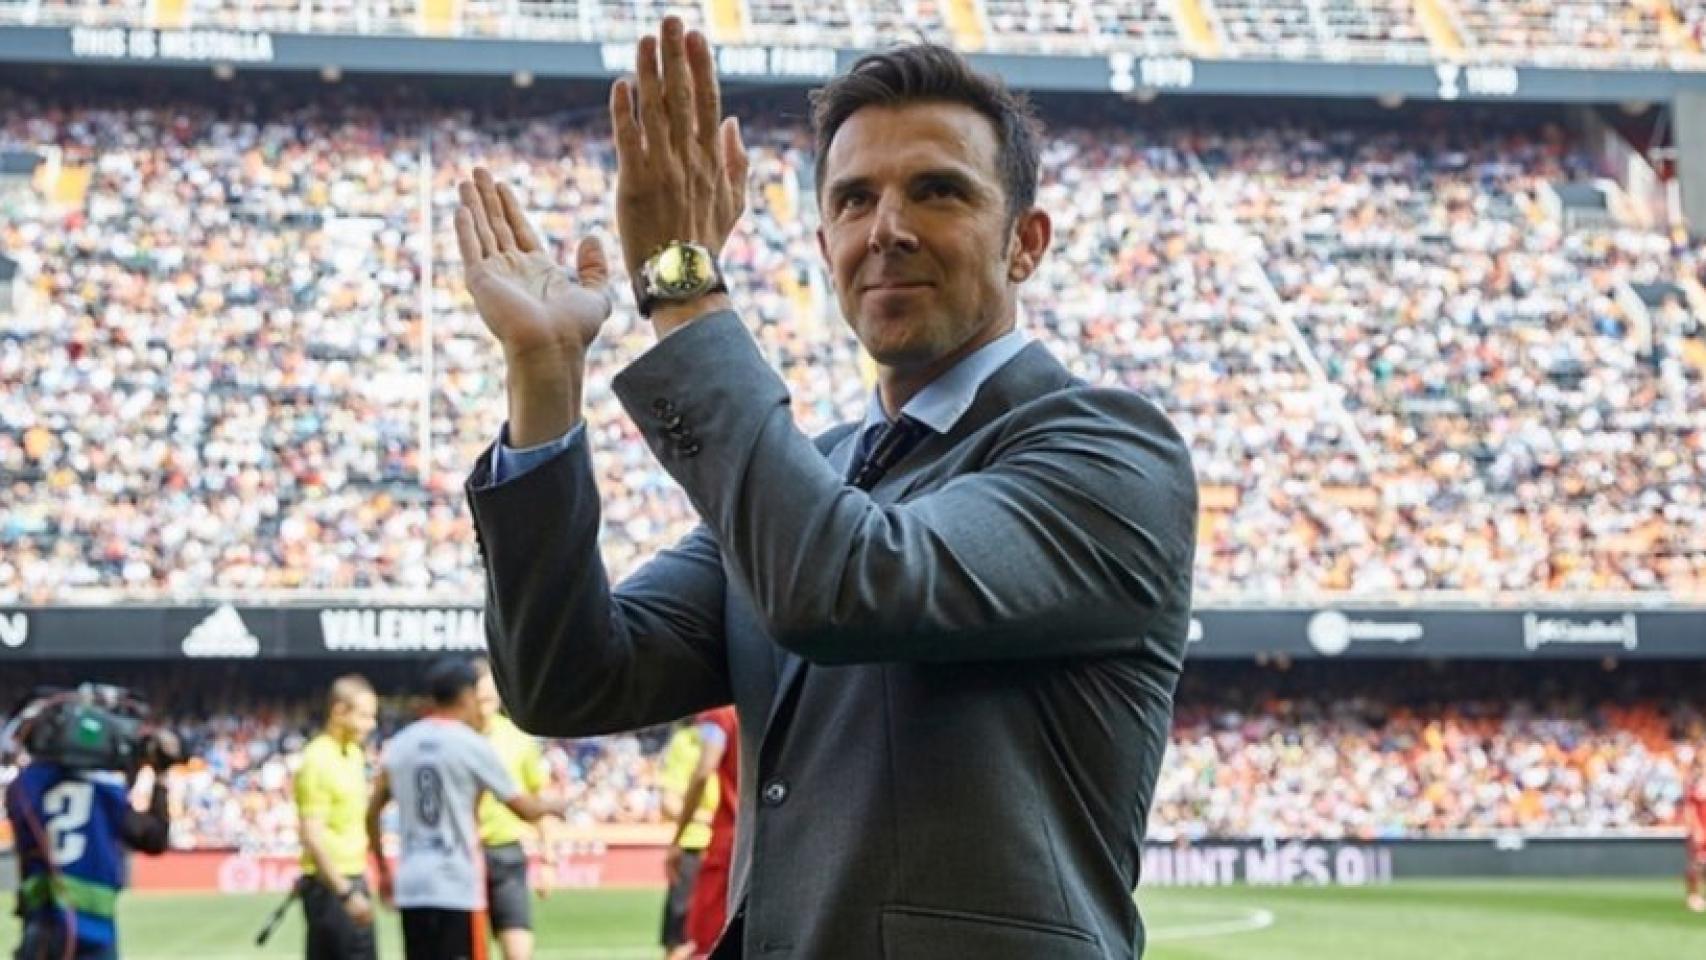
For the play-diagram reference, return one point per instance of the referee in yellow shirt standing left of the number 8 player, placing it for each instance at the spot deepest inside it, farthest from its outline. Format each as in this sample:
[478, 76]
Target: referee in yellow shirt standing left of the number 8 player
[332, 809]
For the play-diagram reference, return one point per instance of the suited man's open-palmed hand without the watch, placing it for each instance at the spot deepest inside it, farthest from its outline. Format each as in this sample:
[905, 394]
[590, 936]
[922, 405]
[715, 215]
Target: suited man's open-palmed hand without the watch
[531, 304]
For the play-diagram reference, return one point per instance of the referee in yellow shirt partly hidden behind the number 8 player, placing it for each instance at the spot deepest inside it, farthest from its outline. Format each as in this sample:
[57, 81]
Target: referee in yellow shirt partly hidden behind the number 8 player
[501, 831]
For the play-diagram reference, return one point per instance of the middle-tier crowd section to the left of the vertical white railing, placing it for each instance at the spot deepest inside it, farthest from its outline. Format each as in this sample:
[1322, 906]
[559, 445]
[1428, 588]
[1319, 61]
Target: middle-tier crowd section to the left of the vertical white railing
[212, 383]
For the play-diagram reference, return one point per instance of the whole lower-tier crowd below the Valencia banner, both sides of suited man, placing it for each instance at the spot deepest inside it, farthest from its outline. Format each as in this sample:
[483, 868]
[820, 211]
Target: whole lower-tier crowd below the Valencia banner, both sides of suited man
[1241, 765]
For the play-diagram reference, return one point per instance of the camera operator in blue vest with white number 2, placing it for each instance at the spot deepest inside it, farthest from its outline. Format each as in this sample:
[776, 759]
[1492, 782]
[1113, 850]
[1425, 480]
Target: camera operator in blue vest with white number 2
[73, 823]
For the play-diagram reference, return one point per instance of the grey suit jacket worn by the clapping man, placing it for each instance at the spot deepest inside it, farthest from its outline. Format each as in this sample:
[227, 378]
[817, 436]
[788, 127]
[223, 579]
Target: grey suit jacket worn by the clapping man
[955, 690]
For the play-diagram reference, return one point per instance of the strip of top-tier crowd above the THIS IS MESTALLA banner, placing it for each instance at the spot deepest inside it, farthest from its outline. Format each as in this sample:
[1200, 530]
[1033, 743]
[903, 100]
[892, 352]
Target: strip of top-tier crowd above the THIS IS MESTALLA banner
[1509, 32]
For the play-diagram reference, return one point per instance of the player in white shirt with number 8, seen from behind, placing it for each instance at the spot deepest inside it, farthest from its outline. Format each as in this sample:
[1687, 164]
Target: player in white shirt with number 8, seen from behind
[438, 768]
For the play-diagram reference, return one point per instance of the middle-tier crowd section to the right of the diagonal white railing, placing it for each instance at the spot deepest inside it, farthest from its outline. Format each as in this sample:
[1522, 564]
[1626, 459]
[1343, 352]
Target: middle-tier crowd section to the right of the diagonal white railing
[1524, 439]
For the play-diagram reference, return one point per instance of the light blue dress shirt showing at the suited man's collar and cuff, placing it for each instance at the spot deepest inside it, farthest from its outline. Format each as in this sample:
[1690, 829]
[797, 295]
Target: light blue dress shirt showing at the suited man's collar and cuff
[937, 407]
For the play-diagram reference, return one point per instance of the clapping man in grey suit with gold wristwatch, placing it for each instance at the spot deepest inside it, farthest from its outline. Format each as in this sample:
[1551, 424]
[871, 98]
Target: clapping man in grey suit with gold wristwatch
[951, 632]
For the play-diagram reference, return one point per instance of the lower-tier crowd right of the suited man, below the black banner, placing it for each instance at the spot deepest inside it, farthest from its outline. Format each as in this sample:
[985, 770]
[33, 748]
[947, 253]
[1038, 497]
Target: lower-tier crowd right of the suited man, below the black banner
[1335, 768]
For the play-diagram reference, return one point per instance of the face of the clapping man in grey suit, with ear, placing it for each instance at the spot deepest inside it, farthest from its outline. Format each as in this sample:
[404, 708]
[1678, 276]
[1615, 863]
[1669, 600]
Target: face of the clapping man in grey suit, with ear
[917, 236]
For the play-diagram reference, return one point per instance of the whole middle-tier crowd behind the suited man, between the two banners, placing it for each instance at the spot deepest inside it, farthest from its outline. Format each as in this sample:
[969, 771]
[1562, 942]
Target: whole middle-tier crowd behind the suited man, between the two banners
[233, 367]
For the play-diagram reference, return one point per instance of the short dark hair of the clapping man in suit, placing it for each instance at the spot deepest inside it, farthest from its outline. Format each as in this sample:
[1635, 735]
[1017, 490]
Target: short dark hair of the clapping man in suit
[929, 72]
